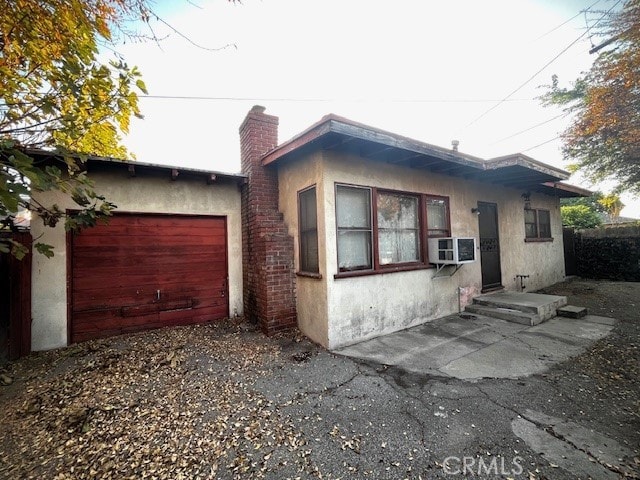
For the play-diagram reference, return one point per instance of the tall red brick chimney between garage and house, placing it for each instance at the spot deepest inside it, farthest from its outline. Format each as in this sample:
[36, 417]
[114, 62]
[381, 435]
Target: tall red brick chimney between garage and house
[267, 248]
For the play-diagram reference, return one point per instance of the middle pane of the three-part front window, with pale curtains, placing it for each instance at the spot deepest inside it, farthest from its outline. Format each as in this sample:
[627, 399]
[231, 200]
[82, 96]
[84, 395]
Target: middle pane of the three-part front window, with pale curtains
[398, 228]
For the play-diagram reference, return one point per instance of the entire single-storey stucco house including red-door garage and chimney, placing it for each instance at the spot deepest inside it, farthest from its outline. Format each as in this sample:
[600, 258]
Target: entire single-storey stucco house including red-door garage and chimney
[331, 231]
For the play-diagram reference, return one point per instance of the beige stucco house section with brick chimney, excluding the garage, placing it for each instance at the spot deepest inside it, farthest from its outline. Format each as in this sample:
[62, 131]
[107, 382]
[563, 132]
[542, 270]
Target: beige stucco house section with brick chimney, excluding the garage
[359, 205]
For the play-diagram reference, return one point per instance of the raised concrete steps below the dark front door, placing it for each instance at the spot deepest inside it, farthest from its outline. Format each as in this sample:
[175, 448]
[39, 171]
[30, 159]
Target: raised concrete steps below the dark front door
[542, 306]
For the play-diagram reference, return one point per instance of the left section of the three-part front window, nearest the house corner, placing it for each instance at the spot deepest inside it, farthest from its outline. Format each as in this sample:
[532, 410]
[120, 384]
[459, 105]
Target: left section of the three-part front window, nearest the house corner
[355, 233]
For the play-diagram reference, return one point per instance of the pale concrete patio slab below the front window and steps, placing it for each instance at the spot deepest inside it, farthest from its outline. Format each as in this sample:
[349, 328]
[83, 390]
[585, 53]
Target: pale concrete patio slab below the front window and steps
[473, 346]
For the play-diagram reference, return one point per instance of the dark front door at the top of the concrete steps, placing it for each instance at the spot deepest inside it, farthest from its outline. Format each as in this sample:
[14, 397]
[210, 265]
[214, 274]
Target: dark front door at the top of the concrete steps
[489, 246]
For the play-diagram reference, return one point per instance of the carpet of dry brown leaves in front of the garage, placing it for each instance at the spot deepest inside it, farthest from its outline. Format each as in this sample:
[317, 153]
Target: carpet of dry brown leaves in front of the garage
[174, 403]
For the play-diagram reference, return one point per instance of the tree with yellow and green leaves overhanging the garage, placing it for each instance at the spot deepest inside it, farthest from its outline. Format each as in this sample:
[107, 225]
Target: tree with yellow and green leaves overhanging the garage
[57, 94]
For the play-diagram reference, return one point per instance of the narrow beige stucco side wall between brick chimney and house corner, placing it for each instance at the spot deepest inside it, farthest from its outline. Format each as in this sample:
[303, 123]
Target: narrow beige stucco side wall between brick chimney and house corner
[311, 293]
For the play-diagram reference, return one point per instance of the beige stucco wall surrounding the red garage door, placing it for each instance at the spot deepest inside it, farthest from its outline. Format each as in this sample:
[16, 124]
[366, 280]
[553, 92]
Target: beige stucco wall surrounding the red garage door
[147, 193]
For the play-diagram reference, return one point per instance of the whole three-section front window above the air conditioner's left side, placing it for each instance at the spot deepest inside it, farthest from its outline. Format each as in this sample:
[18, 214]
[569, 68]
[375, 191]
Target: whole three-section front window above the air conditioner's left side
[382, 230]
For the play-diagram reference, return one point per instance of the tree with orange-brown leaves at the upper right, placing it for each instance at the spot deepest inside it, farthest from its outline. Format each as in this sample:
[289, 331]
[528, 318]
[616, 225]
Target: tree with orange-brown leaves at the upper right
[603, 140]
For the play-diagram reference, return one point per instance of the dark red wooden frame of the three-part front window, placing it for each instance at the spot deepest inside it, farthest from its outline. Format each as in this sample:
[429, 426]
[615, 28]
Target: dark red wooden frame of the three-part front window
[377, 268]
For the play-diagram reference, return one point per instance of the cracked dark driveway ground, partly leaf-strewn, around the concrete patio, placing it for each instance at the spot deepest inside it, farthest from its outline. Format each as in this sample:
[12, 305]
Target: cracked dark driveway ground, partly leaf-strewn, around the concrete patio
[224, 401]
